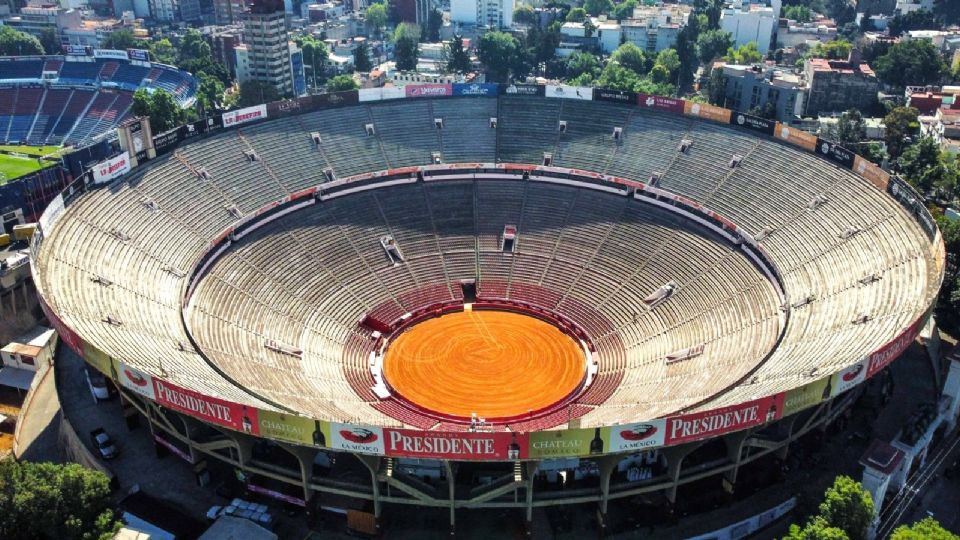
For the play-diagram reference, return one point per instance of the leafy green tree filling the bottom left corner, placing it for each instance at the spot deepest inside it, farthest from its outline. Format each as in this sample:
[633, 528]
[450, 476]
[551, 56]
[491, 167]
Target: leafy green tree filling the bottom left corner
[63, 502]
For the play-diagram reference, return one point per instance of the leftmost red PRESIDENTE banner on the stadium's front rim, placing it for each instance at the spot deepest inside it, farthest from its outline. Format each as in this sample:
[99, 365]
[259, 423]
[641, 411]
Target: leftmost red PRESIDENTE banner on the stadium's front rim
[214, 410]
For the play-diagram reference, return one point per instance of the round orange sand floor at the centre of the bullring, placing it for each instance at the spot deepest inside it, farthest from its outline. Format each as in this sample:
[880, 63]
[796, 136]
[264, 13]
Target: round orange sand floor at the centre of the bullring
[494, 363]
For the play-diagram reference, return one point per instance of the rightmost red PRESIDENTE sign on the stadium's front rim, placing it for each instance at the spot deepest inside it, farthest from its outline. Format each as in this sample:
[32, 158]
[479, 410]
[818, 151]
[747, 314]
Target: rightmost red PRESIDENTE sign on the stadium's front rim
[702, 425]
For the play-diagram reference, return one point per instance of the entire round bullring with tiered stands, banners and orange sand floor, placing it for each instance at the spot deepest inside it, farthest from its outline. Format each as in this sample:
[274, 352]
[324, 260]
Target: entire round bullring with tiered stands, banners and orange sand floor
[508, 279]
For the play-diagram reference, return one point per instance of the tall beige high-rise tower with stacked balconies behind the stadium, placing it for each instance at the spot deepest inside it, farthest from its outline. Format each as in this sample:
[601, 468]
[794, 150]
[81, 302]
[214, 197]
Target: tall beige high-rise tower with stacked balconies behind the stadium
[266, 54]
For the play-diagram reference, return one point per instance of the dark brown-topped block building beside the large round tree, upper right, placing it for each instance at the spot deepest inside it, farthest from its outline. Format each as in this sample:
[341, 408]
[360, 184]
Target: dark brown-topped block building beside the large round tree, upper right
[839, 85]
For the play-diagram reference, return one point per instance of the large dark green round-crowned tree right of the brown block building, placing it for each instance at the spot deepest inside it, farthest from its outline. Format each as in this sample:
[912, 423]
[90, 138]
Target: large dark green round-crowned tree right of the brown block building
[916, 62]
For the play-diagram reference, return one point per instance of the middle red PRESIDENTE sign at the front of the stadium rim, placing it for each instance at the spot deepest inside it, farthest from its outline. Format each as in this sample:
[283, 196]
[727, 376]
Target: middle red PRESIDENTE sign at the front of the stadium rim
[455, 445]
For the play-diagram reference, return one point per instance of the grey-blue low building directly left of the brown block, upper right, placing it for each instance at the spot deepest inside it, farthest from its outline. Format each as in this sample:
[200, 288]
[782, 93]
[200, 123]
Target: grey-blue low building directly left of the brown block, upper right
[753, 87]
